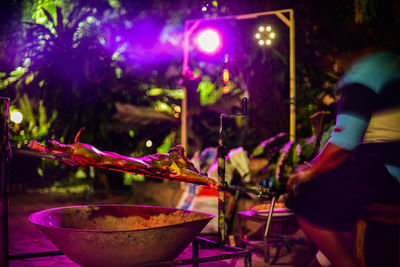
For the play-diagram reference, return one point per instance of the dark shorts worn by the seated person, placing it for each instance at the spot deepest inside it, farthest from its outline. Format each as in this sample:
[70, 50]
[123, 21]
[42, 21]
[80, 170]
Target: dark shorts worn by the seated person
[335, 200]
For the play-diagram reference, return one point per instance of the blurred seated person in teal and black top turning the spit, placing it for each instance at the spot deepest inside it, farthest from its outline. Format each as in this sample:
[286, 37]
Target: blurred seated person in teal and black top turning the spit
[360, 163]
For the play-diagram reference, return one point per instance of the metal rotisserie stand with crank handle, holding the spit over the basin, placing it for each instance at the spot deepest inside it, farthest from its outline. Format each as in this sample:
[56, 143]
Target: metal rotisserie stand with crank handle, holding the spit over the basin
[234, 251]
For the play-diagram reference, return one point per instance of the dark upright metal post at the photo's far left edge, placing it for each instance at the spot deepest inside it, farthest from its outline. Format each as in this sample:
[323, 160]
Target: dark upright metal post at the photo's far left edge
[5, 151]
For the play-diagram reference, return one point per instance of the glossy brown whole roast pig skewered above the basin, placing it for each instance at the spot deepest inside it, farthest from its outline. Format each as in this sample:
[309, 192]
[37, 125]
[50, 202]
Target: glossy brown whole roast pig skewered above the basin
[172, 165]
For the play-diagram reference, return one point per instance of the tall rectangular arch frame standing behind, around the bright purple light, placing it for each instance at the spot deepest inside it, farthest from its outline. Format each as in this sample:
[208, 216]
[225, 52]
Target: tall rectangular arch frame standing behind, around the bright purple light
[191, 25]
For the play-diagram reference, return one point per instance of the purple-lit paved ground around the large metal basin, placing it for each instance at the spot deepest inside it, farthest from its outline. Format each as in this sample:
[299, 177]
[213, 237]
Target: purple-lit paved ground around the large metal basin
[26, 238]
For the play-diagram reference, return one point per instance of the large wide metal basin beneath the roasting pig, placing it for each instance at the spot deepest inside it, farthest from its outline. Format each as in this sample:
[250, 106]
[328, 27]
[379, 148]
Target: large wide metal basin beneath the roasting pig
[120, 235]
